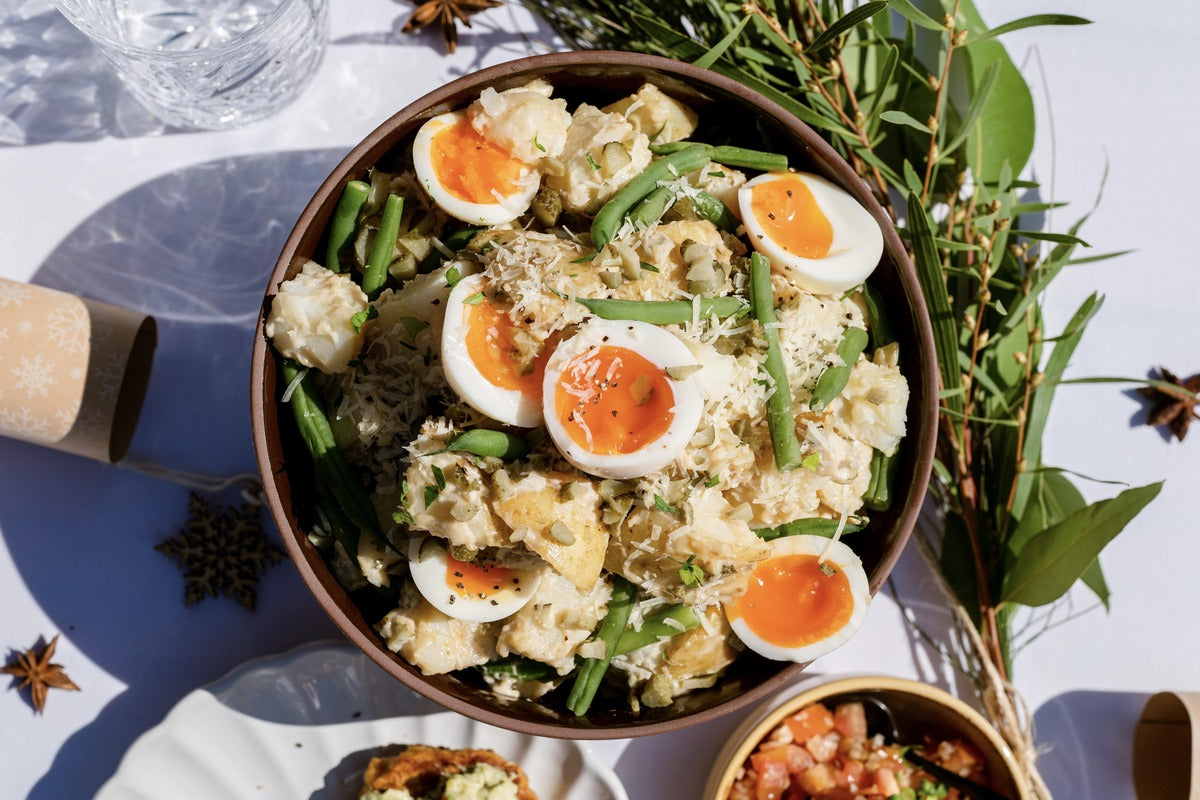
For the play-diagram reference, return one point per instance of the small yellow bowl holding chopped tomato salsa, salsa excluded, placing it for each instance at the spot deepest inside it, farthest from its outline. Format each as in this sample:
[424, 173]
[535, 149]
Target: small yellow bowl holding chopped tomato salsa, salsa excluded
[921, 705]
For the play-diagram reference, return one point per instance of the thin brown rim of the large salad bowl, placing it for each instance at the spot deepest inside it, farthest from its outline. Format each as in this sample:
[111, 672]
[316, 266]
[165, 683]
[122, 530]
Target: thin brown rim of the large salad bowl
[922, 431]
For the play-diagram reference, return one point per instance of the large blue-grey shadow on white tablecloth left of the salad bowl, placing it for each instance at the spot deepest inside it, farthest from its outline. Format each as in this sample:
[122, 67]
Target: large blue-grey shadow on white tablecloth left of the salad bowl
[195, 250]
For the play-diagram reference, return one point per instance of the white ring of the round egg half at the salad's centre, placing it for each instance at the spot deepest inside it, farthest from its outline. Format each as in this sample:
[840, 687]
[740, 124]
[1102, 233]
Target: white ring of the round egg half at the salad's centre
[661, 348]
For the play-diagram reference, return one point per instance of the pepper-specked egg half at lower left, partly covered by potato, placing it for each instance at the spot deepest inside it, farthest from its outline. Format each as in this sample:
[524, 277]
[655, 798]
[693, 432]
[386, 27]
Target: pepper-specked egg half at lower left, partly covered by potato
[475, 592]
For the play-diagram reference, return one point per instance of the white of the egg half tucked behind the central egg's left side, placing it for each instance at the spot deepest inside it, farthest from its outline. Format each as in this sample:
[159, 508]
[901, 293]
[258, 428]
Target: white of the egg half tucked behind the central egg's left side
[508, 406]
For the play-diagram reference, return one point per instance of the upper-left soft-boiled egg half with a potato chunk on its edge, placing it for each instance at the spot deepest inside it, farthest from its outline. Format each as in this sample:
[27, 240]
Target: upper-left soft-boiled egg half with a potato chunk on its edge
[469, 176]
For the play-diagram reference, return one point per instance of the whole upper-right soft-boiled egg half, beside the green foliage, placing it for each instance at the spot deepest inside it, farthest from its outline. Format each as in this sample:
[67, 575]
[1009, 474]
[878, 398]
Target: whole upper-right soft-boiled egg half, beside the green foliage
[812, 231]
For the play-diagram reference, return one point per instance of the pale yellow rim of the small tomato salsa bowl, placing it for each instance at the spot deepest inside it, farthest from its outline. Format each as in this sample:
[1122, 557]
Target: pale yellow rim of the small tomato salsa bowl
[754, 730]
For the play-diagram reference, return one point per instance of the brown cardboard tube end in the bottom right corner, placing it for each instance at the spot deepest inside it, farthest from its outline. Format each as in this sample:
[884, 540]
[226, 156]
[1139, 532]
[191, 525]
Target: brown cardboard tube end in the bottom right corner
[1167, 748]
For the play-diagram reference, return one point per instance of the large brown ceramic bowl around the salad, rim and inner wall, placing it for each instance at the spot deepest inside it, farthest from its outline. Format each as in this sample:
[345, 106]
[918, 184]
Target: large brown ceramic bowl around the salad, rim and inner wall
[727, 110]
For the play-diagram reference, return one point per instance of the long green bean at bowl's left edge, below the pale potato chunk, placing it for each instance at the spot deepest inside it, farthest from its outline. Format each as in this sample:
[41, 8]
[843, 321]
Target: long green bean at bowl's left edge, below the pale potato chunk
[332, 465]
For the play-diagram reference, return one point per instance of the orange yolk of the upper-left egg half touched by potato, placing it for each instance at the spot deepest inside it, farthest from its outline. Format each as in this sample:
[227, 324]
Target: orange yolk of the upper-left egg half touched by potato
[471, 167]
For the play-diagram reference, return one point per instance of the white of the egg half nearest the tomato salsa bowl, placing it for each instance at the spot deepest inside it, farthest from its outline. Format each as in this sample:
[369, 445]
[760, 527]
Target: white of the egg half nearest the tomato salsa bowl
[837, 555]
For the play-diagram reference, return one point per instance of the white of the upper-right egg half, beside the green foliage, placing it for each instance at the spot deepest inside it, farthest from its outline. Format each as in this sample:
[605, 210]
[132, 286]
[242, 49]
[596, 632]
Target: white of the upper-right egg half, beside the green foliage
[857, 239]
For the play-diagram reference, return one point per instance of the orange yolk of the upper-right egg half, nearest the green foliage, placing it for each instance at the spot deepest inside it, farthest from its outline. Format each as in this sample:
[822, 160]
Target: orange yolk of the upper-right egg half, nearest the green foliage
[791, 218]
